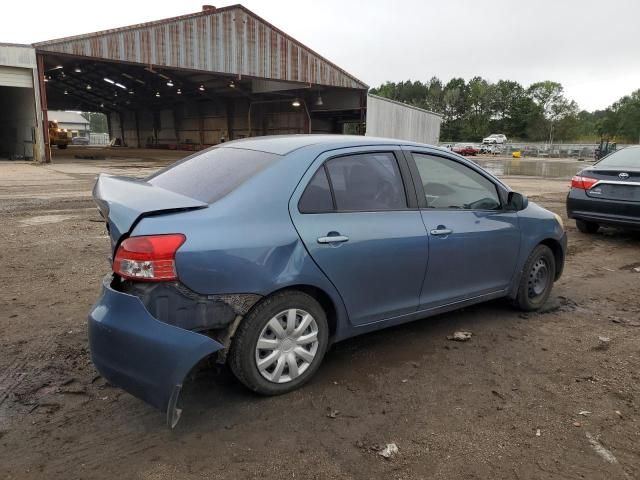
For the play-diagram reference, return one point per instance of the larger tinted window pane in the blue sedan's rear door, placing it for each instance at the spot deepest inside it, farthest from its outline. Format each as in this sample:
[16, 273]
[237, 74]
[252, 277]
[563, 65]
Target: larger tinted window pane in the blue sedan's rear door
[367, 182]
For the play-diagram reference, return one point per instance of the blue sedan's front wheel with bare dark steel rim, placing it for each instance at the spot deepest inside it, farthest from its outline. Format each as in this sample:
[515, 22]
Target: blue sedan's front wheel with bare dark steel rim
[537, 279]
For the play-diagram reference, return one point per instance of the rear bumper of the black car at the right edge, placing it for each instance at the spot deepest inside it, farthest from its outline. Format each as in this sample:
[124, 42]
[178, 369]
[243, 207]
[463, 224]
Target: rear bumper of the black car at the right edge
[602, 211]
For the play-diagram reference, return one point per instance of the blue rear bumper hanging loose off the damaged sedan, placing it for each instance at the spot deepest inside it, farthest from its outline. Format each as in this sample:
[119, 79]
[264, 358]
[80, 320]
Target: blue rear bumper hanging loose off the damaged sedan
[140, 354]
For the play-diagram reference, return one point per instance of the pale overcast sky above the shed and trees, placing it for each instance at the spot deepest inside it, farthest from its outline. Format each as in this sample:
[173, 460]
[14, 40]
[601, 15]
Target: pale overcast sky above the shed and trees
[591, 46]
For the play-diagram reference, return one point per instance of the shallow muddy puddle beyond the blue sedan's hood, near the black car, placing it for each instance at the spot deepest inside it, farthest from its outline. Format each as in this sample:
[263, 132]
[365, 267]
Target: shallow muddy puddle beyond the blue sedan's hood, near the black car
[546, 168]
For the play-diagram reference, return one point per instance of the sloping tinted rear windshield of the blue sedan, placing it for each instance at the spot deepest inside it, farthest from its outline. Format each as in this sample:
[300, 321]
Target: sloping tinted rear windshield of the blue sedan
[210, 175]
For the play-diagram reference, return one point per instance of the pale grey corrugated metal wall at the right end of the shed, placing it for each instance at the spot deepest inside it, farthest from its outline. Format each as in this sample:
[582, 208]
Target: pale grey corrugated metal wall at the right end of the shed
[386, 118]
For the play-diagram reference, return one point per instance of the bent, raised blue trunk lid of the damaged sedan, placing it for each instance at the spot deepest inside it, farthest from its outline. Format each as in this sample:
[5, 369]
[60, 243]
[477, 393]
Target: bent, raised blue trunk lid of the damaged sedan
[122, 201]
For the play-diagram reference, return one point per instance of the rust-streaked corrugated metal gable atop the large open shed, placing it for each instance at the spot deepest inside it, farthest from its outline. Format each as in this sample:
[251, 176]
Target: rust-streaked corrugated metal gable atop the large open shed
[230, 40]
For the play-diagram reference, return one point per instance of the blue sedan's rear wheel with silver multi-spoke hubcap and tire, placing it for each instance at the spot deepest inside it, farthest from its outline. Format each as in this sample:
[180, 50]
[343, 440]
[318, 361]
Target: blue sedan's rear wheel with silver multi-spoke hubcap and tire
[280, 344]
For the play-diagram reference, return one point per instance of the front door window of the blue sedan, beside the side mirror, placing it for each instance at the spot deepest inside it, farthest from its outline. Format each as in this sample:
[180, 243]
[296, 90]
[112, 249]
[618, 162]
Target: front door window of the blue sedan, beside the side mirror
[450, 184]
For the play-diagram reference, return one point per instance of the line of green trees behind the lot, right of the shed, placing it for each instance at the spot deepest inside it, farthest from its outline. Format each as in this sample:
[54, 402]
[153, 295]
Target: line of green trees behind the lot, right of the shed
[541, 112]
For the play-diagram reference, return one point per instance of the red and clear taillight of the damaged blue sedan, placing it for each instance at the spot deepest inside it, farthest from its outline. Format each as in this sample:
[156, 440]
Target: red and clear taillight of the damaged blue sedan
[148, 258]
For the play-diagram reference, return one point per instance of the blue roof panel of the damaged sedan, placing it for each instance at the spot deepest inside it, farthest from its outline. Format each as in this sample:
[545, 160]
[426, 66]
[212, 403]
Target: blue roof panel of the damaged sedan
[285, 144]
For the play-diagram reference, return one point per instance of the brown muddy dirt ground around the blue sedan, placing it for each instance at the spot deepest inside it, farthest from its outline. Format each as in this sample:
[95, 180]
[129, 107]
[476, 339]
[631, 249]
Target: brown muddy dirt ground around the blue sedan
[535, 396]
